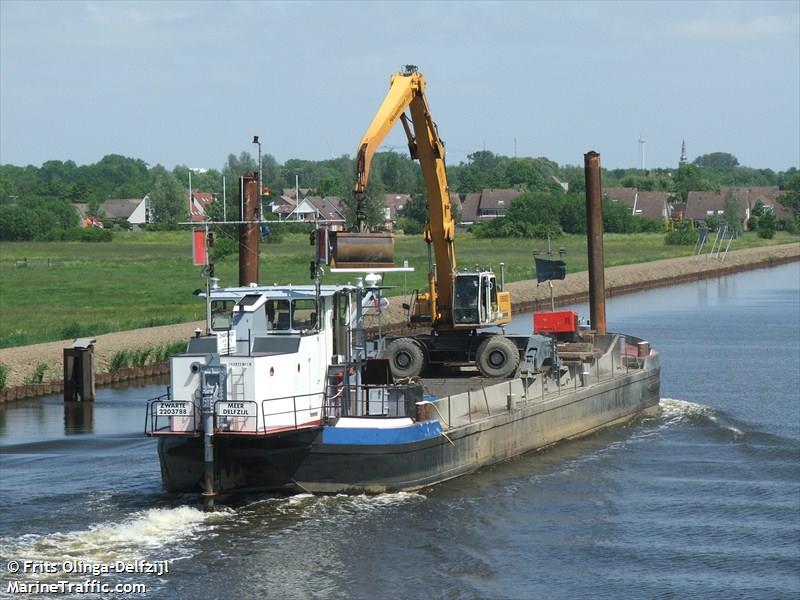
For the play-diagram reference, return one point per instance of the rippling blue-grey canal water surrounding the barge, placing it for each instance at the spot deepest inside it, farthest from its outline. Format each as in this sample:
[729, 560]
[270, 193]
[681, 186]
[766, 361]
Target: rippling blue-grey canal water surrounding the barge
[700, 501]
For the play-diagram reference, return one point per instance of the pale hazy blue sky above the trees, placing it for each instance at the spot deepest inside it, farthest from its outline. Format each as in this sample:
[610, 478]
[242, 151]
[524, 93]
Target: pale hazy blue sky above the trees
[190, 83]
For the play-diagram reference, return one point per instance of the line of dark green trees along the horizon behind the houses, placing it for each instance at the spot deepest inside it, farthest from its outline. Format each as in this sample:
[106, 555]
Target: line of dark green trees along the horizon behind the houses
[36, 201]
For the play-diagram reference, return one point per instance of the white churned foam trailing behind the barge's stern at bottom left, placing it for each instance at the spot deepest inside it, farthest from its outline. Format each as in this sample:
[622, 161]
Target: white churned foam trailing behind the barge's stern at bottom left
[144, 531]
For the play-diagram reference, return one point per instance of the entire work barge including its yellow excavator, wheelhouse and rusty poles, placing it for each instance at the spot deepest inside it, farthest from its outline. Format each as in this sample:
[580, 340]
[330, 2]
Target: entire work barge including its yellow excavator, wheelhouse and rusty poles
[282, 393]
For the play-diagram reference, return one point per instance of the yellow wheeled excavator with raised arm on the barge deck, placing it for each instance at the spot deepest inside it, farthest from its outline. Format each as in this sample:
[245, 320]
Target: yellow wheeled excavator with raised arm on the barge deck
[458, 304]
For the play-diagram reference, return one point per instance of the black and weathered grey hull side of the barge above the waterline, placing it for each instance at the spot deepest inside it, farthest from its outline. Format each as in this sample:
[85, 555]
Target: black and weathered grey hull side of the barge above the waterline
[300, 461]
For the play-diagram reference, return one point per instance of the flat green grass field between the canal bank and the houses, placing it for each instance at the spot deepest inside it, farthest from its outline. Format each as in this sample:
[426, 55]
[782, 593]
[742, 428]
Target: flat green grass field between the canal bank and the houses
[147, 278]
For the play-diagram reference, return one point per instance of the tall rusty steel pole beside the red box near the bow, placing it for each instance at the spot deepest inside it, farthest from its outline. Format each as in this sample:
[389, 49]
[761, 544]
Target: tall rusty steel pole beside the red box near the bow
[594, 234]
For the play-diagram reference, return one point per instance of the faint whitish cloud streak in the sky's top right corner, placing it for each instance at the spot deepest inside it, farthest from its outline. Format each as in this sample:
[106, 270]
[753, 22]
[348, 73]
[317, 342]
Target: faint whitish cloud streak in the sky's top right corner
[756, 29]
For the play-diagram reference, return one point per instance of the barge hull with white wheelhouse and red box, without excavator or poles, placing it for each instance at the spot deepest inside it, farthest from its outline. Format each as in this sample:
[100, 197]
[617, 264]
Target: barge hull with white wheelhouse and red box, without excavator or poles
[284, 394]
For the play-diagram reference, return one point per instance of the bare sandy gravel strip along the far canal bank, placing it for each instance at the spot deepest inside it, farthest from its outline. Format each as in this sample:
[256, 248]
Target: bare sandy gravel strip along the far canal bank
[526, 296]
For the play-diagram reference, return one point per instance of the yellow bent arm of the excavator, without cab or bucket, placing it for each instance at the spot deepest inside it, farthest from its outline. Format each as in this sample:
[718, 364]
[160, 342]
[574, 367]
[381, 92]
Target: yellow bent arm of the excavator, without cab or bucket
[407, 91]
